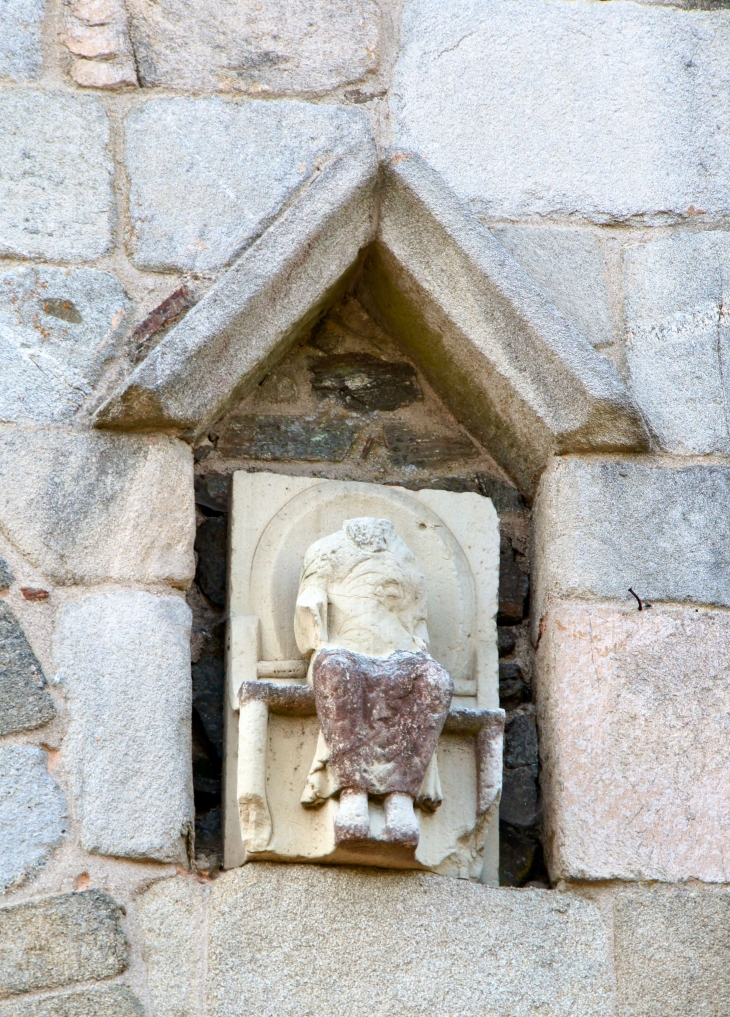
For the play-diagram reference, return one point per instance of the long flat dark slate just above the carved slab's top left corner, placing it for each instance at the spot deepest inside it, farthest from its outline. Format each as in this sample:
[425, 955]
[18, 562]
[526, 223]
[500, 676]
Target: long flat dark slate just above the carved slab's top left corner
[315, 439]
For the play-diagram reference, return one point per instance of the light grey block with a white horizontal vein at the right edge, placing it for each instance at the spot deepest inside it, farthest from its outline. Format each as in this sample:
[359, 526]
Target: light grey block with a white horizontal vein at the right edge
[677, 293]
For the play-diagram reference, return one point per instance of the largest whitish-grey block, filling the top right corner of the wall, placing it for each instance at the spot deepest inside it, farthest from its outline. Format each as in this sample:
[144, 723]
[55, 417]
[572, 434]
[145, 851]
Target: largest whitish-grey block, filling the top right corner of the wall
[568, 109]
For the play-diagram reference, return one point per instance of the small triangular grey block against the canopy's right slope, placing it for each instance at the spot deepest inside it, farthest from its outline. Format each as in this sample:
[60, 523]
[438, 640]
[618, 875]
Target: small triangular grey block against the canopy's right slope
[570, 268]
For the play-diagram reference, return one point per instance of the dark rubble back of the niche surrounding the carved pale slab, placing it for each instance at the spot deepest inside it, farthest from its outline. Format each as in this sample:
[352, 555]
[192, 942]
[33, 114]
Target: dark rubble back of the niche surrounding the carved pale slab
[347, 403]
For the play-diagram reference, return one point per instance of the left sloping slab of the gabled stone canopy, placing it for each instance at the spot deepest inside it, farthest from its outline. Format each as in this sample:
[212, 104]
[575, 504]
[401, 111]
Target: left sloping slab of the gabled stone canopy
[275, 292]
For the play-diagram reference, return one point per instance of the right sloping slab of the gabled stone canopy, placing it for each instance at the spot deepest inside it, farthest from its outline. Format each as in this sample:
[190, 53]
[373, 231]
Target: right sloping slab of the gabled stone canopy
[513, 370]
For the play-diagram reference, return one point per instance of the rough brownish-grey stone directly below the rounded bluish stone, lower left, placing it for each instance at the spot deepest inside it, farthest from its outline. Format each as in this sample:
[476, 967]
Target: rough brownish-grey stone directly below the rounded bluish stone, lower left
[56, 941]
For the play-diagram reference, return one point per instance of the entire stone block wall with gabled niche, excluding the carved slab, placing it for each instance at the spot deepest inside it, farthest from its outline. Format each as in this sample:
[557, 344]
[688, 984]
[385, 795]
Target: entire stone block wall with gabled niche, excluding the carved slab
[201, 181]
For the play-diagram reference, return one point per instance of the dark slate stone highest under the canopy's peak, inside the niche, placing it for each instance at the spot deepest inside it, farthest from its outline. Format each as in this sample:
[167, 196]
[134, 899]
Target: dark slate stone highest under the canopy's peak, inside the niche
[361, 382]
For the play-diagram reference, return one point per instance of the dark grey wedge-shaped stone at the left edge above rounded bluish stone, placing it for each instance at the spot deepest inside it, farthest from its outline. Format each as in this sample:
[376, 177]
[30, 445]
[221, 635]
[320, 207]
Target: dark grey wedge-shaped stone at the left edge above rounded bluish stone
[25, 700]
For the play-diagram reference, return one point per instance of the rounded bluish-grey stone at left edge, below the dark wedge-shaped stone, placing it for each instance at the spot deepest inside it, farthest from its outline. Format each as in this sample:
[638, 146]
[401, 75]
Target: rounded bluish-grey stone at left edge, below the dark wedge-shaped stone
[33, 814]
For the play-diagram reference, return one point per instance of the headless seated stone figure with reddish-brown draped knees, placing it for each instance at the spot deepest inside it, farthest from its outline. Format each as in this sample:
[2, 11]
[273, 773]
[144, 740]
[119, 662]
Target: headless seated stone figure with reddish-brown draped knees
[382, 699]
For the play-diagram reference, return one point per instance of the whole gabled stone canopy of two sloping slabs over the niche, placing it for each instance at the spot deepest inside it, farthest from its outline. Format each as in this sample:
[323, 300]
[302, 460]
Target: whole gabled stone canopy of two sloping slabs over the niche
[521, 378]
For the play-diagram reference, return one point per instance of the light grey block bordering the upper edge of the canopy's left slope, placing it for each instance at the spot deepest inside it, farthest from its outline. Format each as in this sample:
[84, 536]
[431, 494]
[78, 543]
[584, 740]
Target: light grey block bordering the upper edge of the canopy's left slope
[223, 174]
